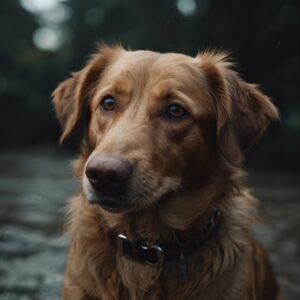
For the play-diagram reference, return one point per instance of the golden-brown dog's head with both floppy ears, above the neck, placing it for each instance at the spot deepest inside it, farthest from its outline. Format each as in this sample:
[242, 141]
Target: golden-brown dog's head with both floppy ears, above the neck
[159, 123]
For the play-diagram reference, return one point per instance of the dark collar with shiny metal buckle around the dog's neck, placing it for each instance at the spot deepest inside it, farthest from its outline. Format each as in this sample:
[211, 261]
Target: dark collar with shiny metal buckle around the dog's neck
[157, 255]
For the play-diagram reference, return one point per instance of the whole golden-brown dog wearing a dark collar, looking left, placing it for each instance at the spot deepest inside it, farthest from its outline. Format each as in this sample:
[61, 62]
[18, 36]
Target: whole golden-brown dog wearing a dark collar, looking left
[162, 214]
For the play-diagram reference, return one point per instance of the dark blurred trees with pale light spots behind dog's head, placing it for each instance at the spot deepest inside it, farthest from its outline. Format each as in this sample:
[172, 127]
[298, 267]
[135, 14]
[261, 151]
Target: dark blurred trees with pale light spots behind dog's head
[41, 42]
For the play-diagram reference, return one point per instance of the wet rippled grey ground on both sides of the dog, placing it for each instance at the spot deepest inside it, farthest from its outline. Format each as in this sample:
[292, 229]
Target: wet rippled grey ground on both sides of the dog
[33, 190]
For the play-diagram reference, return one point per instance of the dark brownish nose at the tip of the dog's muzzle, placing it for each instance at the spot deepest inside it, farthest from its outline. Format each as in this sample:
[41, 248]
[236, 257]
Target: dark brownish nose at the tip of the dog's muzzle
[108, 174]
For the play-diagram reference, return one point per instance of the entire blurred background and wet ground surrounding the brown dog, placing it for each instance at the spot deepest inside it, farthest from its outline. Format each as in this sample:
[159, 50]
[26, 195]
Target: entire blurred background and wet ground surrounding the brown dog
[42, 41]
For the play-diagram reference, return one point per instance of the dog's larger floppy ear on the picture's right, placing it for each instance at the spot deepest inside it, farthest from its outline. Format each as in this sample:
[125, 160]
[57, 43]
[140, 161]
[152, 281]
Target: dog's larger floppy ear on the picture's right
[243, 111]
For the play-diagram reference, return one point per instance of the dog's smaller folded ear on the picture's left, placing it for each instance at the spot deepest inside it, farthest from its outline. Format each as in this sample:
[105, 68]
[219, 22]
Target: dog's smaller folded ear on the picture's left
[71, 97]
